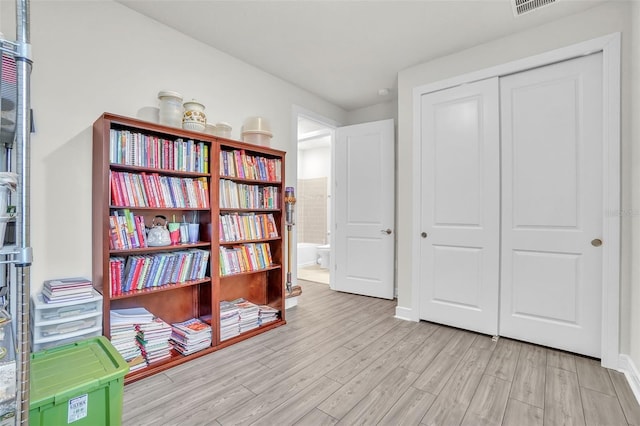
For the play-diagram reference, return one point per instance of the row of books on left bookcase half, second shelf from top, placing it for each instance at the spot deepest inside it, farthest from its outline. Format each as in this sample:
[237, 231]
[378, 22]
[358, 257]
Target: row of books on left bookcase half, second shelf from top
[155, 190]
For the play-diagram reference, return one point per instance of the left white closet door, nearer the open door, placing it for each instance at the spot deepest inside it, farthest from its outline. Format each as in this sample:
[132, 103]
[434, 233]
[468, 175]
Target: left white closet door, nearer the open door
[460, 206]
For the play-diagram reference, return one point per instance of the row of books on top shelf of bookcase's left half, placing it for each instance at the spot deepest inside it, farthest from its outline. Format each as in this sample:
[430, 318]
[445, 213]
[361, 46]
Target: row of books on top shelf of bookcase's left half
[137, 149]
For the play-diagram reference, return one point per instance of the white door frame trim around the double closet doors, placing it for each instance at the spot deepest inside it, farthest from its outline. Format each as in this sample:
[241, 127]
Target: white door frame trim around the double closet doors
[610, 46]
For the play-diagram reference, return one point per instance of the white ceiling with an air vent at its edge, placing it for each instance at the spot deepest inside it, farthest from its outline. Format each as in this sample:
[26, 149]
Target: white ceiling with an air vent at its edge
[345, 51]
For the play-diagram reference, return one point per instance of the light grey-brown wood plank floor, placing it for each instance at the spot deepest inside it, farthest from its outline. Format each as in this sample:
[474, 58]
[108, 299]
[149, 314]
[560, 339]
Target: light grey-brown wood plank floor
[344, 359]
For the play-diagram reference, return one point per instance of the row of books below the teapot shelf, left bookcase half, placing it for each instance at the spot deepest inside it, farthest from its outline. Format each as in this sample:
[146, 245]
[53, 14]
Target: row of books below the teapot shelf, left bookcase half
[157, 269]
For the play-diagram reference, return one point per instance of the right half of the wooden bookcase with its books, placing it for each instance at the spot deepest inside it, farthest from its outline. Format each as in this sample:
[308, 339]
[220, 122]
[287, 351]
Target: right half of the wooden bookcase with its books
[249, 233]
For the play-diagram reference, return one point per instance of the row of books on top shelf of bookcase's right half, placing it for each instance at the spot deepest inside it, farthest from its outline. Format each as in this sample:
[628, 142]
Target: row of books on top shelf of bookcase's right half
[239, 164]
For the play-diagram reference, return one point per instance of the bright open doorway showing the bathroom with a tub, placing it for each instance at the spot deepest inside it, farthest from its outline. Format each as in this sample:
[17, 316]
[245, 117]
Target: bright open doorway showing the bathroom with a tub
[313, 194]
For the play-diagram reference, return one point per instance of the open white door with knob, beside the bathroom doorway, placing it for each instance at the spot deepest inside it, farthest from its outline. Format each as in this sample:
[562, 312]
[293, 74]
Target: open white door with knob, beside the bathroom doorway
[364, 240]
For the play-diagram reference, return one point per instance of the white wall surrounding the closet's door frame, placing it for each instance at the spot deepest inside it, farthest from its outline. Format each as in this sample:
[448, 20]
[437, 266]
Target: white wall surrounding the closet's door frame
[602, 20]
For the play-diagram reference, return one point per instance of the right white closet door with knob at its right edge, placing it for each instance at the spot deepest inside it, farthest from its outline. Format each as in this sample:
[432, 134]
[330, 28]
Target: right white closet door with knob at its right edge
[552, 205]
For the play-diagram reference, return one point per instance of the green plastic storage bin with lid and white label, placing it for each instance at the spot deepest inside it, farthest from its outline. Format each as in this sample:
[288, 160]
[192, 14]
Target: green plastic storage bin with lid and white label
[80, 384]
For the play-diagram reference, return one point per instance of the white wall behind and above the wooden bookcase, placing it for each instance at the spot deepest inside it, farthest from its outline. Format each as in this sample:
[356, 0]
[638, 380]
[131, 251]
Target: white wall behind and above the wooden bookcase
[96, 56]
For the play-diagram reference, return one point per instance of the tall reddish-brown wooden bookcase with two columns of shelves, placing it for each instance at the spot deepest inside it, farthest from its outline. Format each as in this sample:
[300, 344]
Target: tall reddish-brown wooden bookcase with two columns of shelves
[259, 170]
